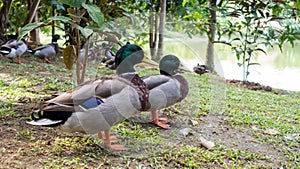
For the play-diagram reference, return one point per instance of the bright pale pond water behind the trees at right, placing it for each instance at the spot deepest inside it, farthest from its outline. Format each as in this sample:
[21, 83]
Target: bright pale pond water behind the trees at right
[277, 69]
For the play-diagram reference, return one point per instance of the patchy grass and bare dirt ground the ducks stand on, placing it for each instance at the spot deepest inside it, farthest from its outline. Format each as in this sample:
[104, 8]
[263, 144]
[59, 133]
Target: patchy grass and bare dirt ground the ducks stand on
[237, 128]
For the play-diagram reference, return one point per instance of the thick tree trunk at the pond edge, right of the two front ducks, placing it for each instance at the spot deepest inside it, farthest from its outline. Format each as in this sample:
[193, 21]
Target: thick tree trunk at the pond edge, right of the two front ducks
[209, 62]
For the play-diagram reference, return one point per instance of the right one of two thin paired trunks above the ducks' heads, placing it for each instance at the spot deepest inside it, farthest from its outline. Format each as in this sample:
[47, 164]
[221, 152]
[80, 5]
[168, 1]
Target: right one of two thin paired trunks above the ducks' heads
[162, 16]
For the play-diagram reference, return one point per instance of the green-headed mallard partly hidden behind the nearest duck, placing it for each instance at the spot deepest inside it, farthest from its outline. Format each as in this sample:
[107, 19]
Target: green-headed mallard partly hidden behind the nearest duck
[166, 89]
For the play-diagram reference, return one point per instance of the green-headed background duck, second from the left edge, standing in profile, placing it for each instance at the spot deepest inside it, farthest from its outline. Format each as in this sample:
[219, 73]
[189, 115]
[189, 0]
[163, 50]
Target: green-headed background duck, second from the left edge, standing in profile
[47, 51]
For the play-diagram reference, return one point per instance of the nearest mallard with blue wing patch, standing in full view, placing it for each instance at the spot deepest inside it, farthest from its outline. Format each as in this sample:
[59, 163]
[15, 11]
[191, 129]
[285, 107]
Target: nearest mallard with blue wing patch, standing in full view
[93, 107]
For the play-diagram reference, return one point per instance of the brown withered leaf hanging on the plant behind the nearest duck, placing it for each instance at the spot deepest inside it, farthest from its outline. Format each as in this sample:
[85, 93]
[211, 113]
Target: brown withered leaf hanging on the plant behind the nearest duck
[69, 56]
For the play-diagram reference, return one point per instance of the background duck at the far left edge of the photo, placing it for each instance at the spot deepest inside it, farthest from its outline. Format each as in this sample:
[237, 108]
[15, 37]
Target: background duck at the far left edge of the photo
[14, 49]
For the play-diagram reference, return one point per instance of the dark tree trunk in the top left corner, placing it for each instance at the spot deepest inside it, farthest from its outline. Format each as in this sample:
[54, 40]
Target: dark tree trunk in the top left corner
[4, 17]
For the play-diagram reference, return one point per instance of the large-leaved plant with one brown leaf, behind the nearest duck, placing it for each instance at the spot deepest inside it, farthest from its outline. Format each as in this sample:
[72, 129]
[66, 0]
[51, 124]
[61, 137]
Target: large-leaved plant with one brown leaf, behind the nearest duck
[84, 19]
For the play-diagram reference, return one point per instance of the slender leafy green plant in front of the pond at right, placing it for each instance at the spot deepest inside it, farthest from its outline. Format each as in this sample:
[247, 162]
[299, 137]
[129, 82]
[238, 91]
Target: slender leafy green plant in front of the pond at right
[250, 24]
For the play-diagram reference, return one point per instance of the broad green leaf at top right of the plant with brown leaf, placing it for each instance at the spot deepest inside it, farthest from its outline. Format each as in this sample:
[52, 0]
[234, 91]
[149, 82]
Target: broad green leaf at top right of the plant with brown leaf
[95, 13]
